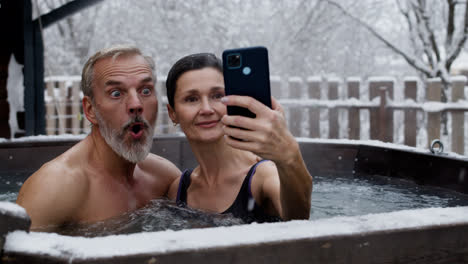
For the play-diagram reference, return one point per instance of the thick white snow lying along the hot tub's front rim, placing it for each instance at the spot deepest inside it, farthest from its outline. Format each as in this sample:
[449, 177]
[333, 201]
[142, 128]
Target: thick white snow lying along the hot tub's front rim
[192, 239]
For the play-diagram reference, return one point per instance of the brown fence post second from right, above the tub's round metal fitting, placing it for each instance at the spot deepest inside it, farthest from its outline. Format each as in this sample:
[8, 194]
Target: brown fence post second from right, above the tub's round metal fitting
[433, 93]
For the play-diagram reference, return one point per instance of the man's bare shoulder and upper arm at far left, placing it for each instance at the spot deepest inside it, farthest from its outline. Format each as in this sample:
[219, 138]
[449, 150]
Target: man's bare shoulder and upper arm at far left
[51, 196]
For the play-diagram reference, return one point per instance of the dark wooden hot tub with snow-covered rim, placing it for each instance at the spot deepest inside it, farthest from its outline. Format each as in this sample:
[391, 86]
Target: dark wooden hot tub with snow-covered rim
[430, 235]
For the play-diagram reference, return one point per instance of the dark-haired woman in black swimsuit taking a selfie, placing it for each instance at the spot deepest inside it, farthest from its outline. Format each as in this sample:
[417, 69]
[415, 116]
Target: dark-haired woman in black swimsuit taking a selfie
[261, 178]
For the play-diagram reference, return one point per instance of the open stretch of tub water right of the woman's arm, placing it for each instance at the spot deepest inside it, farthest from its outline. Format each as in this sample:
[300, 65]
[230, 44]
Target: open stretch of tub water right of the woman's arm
[350, 196]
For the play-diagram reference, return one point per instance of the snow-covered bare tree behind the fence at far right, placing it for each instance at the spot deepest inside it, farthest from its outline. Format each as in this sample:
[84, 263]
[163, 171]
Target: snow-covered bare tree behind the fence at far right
[436, 30]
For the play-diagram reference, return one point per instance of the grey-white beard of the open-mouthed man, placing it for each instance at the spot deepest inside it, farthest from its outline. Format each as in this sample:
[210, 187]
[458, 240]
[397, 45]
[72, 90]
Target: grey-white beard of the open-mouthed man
[136, 150]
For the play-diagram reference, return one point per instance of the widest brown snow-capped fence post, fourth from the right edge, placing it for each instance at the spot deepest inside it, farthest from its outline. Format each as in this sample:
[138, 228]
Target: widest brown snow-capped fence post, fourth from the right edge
[375, 85]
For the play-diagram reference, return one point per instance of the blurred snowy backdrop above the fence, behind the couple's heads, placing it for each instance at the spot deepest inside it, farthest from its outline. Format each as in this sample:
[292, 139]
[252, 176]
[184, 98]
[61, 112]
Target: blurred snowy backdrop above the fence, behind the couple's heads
[305, 38]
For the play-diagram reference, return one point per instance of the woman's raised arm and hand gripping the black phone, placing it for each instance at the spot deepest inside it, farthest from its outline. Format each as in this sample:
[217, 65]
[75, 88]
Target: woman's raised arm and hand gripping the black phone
[268, 136]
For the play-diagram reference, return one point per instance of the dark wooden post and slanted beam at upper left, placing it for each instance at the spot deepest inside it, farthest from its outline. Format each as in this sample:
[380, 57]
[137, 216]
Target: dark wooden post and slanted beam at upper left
[22, 36]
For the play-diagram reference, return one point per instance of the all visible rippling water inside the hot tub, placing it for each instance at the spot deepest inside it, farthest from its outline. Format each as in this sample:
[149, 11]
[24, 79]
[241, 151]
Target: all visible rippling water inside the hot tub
[332, 196]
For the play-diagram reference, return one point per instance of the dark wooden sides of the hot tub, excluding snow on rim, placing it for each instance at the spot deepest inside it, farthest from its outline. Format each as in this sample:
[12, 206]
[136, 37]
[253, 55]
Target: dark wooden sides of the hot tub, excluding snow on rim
[441, 243]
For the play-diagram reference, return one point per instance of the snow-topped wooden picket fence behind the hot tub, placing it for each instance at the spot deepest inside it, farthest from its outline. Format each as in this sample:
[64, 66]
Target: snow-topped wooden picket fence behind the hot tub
[316, 108]
